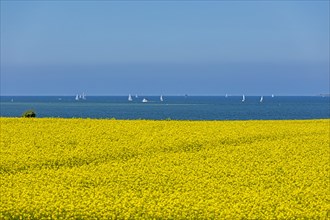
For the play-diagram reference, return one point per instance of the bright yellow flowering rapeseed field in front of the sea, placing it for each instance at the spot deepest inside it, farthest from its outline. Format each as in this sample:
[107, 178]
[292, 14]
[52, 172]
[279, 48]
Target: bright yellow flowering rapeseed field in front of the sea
[117, 169]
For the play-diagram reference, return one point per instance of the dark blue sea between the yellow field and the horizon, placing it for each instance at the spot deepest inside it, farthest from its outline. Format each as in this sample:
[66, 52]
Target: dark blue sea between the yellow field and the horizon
[173, 107]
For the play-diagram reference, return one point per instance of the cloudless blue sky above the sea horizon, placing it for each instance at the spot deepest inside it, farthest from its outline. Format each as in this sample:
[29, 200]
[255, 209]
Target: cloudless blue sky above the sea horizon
[164, 47]
